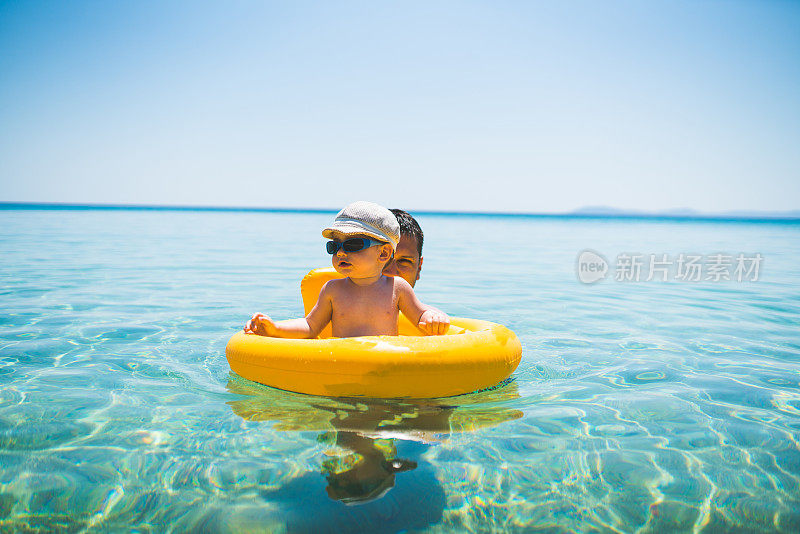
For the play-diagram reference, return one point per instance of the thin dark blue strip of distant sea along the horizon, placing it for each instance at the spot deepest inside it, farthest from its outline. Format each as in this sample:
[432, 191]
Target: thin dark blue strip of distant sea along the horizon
[576, 214]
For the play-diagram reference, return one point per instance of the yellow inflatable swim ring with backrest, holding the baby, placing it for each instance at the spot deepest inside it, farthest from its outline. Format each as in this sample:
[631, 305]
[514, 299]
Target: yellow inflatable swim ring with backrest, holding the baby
[473, 355]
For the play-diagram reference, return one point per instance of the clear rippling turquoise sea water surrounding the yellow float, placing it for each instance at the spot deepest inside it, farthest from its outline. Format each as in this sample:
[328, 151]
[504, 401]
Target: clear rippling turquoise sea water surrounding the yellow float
[651, 406]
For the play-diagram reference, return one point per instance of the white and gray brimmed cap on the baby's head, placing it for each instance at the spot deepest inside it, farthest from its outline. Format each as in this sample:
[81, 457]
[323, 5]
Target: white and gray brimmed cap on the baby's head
[366, 218]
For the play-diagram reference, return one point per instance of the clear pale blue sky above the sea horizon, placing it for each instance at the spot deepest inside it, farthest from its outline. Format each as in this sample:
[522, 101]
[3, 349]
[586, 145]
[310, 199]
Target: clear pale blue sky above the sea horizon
[436, 105]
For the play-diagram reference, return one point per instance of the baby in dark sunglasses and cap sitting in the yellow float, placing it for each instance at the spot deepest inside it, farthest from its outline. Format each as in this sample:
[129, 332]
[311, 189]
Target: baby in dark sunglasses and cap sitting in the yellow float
[363, 237]
